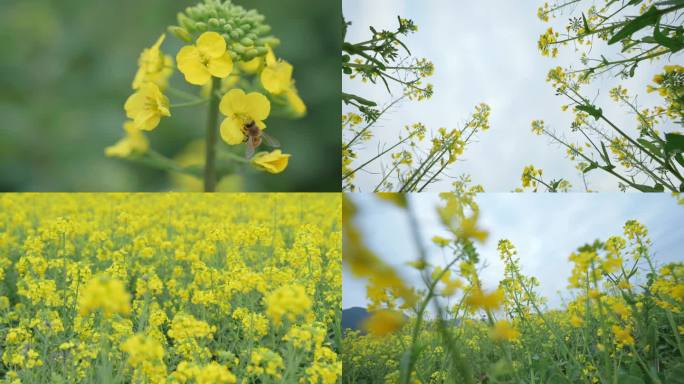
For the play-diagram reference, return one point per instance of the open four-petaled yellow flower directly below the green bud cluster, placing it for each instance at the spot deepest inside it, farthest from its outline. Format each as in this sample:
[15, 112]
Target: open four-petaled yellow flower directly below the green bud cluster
[209, 57]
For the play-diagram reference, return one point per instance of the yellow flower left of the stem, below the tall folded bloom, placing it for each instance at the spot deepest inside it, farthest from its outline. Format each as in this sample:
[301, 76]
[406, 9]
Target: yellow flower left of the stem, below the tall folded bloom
[147, 106]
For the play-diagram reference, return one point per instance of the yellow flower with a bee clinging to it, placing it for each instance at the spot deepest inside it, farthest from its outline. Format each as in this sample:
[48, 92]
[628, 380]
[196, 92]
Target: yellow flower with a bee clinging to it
[241, 109]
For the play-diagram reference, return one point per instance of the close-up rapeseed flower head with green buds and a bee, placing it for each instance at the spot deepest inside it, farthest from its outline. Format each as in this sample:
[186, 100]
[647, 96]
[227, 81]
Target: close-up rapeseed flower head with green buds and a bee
[229, 56]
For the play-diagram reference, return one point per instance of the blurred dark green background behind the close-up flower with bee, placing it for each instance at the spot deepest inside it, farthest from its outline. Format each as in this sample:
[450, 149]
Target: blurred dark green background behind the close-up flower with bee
[65, 72]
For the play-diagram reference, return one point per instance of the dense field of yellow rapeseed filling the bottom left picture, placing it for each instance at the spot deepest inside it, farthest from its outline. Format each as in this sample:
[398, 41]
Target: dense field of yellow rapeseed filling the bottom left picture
[170, 288]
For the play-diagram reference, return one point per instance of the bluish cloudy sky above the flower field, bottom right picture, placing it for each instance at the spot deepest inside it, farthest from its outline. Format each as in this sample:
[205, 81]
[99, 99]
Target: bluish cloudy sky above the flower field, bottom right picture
[545, 228]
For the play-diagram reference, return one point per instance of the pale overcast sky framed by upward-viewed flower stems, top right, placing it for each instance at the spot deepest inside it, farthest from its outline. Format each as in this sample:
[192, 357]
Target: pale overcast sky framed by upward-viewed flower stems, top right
[486, 51]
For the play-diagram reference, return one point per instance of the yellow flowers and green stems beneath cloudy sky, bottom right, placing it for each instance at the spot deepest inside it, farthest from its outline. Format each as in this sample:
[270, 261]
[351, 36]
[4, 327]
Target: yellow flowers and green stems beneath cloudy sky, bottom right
[623, 322]
